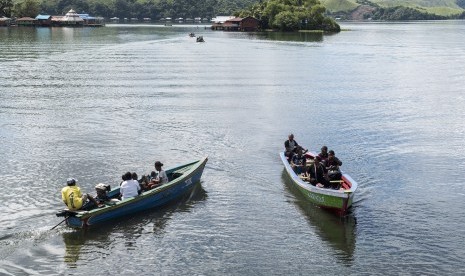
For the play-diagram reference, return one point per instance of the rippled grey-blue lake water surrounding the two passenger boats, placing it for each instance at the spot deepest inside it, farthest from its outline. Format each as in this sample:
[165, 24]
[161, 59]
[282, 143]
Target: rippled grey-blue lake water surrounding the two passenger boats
[93, 103]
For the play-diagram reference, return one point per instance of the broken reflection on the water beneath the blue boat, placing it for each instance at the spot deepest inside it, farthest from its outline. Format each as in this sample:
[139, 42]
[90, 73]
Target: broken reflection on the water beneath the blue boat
[130, 228]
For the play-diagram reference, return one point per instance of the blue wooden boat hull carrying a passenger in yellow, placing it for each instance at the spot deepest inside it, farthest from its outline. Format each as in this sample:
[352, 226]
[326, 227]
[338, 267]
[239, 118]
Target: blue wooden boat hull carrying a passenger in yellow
[182, 180]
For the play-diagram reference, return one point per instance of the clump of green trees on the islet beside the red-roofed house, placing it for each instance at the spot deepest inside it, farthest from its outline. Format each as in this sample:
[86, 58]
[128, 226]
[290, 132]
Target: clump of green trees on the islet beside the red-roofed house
[291, 15]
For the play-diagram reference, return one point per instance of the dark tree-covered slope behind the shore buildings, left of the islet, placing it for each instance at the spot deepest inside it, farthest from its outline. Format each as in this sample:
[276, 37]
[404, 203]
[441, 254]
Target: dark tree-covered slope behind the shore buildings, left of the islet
[154, 9]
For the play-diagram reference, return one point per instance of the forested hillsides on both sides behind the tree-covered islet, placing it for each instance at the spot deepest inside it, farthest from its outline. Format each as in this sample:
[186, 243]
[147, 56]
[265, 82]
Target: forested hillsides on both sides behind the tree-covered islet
[156, 9]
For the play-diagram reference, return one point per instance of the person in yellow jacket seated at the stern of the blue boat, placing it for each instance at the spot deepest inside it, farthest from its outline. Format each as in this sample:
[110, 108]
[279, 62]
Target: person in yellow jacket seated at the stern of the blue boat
[74, 199]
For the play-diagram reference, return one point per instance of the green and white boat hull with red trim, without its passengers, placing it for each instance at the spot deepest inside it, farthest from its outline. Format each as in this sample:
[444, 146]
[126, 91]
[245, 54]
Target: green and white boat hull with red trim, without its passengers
[338, 201]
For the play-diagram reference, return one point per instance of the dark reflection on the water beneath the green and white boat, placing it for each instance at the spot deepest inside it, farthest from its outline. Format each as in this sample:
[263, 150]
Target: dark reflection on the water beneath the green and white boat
[338, 232]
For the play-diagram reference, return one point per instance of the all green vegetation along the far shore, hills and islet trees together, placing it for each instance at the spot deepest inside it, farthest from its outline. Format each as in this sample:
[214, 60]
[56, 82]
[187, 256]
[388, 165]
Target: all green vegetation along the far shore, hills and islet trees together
[277, 14]
